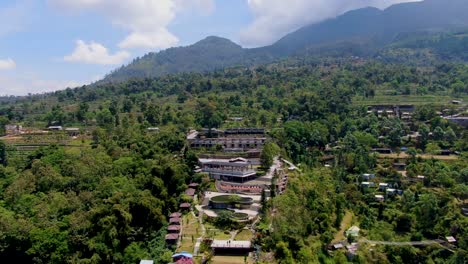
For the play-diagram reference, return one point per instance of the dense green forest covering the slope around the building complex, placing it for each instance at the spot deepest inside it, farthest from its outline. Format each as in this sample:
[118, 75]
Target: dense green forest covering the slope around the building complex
[109, 200]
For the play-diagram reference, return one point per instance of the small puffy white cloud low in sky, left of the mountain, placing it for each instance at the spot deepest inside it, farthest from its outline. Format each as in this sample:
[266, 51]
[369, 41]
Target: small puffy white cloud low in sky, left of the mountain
[95, 53]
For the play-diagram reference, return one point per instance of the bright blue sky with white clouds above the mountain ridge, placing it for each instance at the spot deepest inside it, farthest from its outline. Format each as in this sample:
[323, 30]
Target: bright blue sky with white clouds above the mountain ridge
[48, 45]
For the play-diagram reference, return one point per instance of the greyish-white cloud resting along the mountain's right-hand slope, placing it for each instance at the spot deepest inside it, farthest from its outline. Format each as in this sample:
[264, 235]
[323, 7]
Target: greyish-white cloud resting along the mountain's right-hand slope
[275, 18]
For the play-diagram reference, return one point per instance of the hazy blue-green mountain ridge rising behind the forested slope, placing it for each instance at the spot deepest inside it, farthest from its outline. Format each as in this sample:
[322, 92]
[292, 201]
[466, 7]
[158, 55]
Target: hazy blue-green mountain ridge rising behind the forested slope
[362, 32]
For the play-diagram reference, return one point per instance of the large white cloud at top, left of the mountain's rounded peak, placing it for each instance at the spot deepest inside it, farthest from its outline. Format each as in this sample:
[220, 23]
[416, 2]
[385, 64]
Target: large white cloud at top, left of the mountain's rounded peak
[146, 20]
